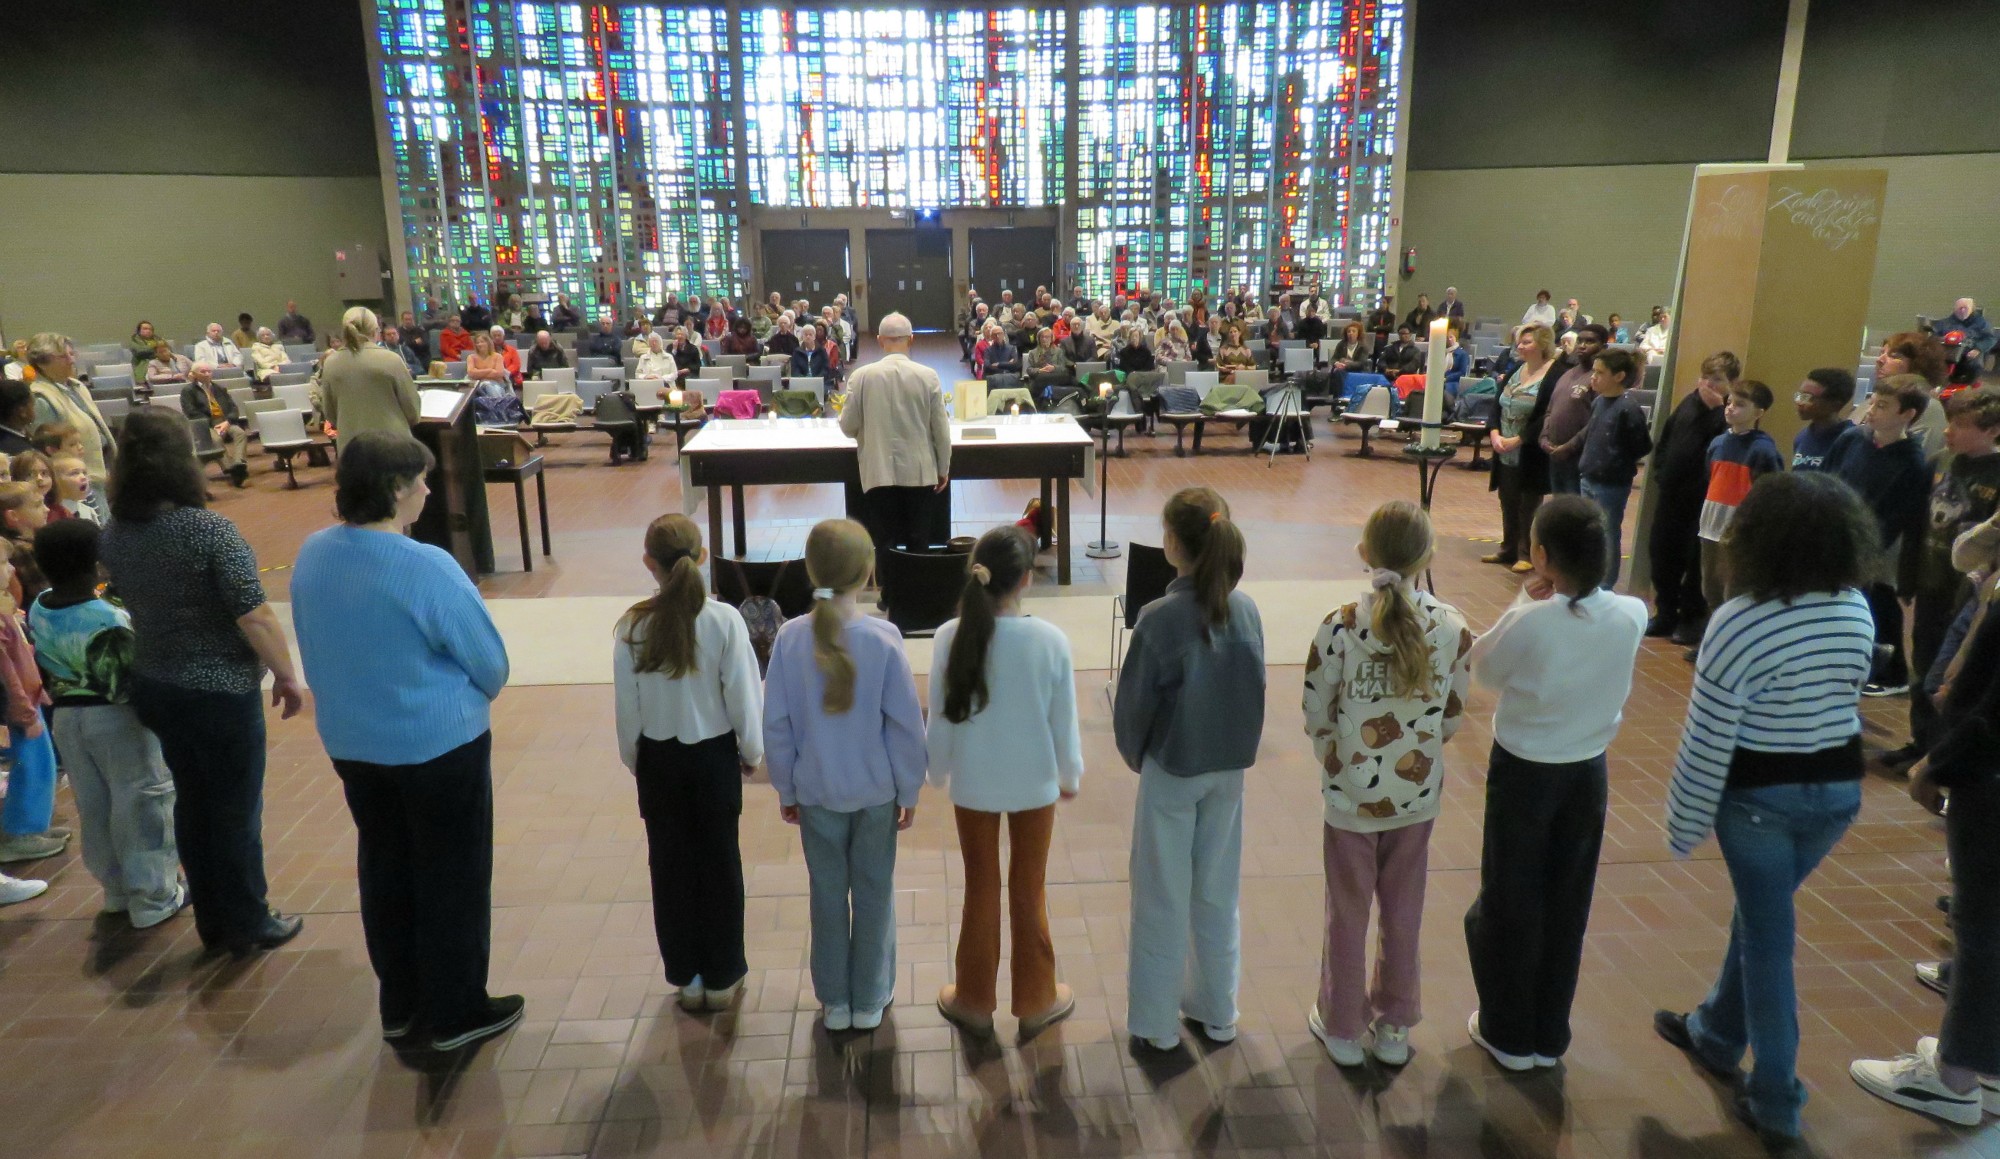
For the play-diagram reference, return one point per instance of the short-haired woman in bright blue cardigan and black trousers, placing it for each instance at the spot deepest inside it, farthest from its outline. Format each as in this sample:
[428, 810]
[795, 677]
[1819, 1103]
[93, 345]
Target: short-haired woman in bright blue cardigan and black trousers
[405, 664]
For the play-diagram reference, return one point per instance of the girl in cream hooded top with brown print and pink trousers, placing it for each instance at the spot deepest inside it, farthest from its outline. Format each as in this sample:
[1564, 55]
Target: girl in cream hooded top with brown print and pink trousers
[1385, 688]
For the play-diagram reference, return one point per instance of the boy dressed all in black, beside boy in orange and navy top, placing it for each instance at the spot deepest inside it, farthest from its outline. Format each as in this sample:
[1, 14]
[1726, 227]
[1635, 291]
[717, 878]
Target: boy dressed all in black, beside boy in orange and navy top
[1681, 473]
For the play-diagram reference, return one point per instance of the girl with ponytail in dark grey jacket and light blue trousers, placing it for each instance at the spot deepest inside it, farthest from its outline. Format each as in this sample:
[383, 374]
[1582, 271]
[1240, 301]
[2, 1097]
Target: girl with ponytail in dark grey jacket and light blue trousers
[1189, 718]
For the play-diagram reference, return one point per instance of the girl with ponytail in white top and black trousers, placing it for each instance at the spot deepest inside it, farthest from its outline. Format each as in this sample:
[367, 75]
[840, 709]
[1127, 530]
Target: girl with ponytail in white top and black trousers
[691, 730]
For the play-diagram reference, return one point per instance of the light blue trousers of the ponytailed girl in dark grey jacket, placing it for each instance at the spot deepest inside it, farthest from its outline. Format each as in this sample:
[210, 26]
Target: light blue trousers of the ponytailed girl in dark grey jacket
[1187, 876]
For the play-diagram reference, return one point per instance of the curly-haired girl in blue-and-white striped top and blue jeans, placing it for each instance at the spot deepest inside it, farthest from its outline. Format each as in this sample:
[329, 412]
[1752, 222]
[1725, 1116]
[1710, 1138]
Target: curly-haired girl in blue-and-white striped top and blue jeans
[1771, 760]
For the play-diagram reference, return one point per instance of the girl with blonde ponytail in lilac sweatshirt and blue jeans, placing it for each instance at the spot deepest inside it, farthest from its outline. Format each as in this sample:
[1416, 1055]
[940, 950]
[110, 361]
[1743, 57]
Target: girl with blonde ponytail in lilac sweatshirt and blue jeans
[845, 740]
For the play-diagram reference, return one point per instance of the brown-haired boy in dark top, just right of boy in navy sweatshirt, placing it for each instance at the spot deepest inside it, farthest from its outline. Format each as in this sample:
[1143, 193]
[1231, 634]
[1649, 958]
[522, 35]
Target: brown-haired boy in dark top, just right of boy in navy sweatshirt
[1887, 467]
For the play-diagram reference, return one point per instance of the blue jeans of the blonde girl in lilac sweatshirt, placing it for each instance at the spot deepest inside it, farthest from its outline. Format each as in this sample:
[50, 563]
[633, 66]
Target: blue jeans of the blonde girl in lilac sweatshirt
[851, 864]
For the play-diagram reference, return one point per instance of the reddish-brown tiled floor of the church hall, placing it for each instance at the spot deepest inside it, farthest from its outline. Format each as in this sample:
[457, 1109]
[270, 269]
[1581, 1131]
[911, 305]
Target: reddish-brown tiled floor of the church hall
[133, 1046]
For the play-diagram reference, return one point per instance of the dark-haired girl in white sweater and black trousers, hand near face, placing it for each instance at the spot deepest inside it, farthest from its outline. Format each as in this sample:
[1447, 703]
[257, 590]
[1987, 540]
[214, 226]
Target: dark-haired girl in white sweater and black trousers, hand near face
[1563, 664]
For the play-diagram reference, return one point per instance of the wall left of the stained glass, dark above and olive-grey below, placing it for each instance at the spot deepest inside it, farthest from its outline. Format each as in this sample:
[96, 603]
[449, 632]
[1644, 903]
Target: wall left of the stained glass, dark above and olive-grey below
[181, 163]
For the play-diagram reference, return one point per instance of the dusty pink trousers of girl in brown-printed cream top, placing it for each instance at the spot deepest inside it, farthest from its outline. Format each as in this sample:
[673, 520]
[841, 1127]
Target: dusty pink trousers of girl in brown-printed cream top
[1389, 870]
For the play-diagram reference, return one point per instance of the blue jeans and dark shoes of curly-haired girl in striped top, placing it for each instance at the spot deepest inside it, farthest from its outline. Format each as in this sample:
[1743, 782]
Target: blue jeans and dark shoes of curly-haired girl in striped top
[1771, 838]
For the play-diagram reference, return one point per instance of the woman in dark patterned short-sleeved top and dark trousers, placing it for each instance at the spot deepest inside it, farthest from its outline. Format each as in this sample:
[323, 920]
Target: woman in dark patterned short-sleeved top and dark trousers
[203, 642]
